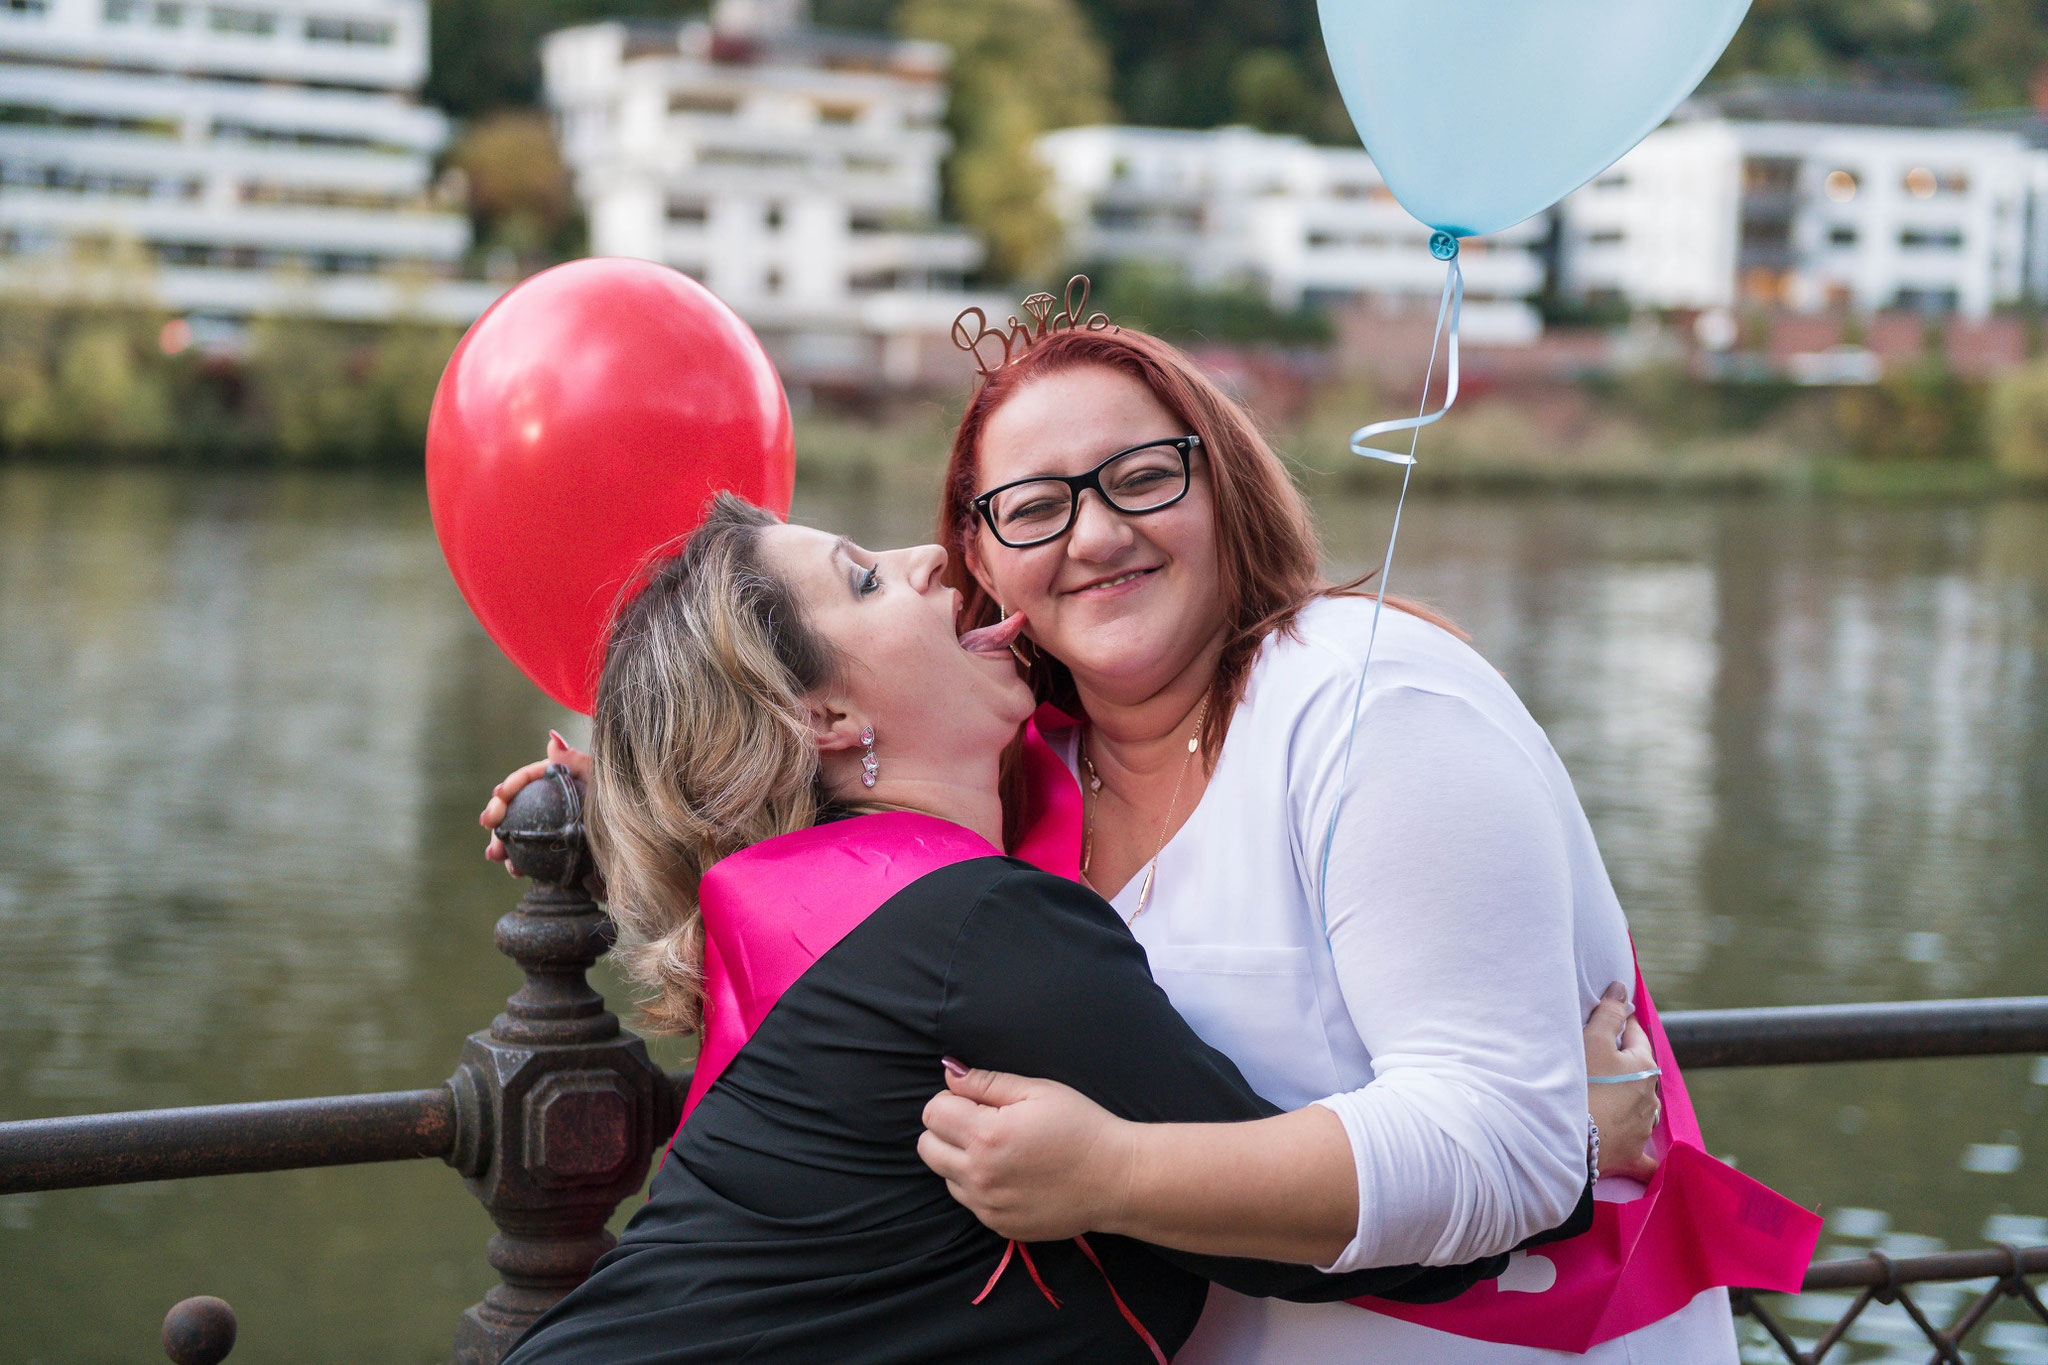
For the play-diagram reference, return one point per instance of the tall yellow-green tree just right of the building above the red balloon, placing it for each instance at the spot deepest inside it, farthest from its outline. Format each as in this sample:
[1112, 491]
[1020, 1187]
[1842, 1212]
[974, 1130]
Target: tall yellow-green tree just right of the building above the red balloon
[1021, 69]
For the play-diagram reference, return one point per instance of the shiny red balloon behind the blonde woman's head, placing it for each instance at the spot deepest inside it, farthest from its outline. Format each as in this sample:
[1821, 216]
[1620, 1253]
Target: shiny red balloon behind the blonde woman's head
[585, 423]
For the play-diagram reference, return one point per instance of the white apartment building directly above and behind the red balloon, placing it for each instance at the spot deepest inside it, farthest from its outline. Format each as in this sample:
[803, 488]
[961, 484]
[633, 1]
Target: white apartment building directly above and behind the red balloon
[794, 171]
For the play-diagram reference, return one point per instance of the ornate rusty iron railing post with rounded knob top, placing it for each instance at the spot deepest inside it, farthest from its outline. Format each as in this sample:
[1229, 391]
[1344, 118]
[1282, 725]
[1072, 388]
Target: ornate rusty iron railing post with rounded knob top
[558, 1108]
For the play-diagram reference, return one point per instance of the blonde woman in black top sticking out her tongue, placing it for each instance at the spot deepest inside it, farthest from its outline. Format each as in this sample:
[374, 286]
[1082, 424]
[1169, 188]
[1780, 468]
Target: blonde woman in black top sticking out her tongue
[796, 807]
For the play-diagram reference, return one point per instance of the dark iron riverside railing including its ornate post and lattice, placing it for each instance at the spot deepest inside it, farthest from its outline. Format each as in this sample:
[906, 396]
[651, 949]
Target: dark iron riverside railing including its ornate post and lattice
[554, 1116]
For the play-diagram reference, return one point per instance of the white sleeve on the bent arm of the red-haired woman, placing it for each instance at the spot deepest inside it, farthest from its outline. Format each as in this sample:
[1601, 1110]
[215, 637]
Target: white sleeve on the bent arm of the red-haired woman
[1451, 924]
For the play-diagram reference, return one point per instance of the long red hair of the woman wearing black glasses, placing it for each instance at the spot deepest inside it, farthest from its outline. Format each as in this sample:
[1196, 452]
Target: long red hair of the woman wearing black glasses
[1267, 547]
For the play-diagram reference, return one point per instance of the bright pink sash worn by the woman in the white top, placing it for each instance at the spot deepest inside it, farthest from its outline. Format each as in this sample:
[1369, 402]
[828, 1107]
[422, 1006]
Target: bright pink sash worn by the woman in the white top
[1701, 1225]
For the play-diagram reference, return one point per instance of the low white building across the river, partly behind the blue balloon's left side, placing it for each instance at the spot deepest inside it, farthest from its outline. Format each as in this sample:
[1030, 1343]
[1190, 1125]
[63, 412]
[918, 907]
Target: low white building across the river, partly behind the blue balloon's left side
[1308, 224]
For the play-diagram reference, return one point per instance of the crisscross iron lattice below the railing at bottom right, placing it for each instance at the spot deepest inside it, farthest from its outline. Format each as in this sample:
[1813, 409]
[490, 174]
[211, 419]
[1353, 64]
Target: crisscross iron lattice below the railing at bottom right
[1883, 1280]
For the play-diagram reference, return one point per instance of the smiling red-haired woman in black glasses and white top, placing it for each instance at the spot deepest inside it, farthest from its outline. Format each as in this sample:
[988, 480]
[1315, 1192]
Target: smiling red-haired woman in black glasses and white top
[1375, 893]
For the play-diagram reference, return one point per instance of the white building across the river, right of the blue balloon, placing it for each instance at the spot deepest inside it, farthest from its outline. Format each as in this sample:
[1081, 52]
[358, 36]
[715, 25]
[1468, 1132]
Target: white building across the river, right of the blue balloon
[1809, 202]
